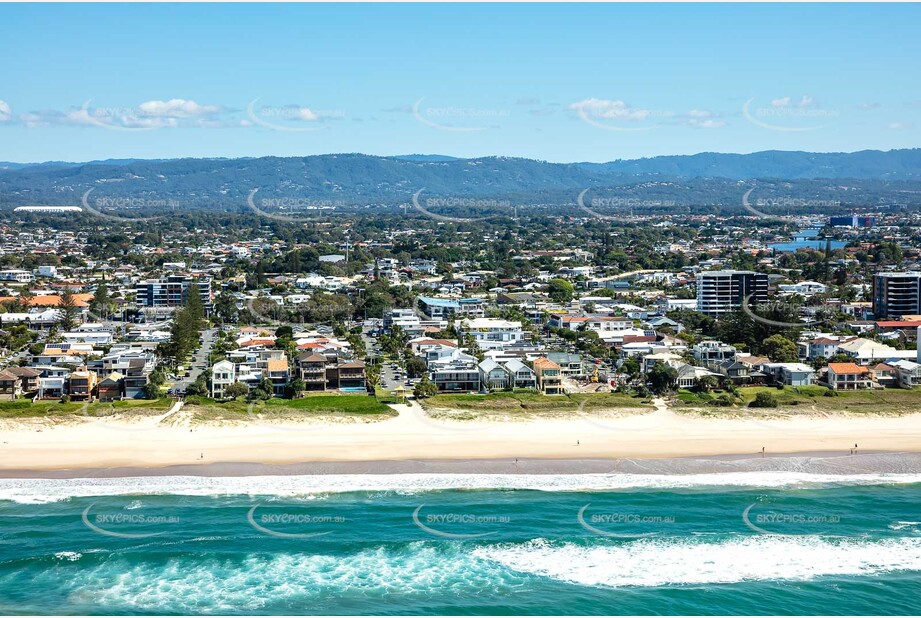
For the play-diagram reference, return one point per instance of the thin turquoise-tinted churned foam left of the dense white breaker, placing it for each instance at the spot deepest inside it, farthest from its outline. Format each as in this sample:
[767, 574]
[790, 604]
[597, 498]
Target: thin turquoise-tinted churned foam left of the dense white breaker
[258, 582]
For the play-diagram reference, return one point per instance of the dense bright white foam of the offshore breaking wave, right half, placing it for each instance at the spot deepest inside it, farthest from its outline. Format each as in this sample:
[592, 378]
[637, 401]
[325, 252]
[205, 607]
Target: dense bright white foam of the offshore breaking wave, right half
[662, 562]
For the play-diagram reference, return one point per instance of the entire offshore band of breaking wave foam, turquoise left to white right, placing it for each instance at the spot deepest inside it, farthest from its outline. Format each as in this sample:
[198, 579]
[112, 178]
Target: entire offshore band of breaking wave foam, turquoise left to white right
[263, 582]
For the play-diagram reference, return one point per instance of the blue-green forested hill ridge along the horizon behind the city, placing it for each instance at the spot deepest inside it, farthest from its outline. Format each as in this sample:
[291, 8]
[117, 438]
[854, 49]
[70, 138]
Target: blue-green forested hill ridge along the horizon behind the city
[365, 179]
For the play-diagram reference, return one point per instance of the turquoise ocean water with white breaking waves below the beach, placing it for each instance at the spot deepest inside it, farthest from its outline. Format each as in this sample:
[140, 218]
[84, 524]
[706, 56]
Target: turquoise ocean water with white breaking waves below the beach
[732, 543]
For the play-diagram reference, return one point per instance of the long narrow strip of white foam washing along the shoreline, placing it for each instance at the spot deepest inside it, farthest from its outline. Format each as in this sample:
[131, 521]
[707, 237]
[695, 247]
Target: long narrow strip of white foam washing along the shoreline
[36, 491]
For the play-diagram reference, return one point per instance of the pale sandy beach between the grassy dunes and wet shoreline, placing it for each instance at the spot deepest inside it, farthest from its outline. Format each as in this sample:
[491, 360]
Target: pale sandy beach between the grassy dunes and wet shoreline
[172, 440]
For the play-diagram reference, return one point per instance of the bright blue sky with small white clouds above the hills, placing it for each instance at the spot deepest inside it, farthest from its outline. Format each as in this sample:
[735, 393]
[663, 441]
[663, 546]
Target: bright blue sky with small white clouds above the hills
[559, 82]
